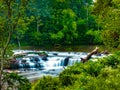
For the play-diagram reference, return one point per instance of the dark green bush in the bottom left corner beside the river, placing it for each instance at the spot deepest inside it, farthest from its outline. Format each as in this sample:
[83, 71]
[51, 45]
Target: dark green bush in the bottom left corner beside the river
[14, 81]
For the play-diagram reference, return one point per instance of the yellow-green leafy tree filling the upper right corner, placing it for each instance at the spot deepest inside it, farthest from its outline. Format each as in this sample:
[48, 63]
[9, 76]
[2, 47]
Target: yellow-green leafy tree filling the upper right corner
[108, 13]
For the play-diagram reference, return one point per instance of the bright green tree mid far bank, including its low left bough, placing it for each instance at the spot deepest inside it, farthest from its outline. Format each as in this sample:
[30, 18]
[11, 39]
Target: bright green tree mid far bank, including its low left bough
[68, 31]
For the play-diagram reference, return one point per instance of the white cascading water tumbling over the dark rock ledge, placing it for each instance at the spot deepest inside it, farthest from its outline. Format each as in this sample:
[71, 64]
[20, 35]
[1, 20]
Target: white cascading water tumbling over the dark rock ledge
[53, 60]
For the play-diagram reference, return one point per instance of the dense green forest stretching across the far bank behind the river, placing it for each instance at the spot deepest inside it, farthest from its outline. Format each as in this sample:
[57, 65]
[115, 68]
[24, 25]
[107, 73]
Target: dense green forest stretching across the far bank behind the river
[69, 22]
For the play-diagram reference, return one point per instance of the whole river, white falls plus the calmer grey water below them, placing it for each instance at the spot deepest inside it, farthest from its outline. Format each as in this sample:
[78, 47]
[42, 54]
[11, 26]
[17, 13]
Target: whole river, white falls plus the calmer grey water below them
[52, 65]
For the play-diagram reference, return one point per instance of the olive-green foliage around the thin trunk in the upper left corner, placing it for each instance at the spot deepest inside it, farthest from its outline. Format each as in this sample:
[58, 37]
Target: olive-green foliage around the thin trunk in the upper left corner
[13, 21]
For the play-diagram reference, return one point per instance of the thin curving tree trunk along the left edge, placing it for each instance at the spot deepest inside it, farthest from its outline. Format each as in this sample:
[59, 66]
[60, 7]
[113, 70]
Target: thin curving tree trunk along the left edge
[3, 50]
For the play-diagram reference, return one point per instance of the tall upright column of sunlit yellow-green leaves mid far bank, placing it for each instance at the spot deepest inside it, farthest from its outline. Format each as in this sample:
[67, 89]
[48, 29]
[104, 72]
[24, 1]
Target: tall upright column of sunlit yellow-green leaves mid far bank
[69, 25]
